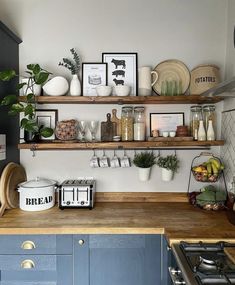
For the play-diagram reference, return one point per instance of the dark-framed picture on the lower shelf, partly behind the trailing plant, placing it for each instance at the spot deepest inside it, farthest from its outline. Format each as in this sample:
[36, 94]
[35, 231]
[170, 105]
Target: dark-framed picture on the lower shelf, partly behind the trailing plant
[47, 118]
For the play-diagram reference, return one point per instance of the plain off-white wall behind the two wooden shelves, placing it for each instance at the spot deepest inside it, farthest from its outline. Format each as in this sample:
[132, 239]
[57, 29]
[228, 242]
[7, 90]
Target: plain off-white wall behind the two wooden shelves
[193, 31]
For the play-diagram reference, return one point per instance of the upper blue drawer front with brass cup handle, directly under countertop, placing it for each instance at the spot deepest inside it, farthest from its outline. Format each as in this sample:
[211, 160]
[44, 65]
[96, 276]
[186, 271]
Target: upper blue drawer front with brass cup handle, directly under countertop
[35, 244]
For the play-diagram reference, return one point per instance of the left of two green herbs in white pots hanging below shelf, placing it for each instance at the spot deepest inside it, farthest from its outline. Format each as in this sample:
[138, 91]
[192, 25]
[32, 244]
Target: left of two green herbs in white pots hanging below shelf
[144, 161]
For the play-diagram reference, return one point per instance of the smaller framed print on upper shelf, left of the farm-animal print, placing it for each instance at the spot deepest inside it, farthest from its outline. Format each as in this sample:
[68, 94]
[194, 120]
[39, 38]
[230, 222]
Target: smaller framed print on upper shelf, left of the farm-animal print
[93, 75]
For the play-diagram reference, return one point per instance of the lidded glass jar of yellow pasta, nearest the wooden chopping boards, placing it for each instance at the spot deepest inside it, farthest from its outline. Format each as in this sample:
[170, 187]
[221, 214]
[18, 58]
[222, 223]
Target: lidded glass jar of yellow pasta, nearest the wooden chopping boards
[127, 122]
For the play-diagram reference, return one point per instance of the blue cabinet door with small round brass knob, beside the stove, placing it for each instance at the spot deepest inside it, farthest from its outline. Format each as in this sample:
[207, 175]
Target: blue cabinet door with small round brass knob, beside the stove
[118, 260]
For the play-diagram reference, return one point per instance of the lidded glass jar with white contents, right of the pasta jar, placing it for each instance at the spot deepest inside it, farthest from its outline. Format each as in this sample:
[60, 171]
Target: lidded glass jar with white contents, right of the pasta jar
[139, 123]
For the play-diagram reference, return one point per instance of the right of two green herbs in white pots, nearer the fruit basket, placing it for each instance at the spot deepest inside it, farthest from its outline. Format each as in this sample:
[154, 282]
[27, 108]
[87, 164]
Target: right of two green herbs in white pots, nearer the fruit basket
[169, 165]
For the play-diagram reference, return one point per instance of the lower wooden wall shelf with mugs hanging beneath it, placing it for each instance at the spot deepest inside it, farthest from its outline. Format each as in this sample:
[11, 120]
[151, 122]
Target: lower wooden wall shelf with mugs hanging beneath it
[50, 145]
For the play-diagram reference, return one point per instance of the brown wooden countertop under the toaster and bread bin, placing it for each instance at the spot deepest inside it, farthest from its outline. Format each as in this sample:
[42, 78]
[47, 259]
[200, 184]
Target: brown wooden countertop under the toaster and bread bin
[179, 221]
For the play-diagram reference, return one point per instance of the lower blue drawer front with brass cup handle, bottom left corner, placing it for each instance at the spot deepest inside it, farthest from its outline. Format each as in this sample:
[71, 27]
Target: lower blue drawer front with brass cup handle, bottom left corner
[36, 269]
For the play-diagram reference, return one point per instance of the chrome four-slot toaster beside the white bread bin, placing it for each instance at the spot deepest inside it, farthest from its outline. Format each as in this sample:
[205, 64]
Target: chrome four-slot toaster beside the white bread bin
[79, 193]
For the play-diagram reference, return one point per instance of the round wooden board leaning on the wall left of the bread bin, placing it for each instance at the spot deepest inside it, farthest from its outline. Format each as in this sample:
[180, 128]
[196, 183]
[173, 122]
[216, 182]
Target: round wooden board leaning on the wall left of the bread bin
[12, 175]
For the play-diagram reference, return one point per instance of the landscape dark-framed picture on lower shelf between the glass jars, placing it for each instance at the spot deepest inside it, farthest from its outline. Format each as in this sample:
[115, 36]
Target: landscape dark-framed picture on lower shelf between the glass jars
[165, 121]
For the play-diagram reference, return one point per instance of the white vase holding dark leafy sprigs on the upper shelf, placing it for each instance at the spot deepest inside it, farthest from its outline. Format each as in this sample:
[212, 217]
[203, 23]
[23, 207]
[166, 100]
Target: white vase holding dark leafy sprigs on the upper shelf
[73, 66]
